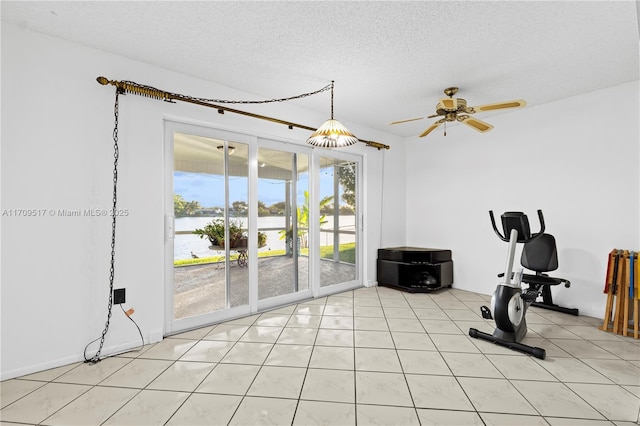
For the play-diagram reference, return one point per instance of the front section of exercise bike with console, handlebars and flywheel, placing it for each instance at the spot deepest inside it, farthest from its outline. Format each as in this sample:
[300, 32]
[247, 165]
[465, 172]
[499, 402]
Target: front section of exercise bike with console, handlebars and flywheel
[510, 301]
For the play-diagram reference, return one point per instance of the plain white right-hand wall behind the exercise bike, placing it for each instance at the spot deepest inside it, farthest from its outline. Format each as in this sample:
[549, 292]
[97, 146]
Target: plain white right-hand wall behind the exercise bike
[576, 159]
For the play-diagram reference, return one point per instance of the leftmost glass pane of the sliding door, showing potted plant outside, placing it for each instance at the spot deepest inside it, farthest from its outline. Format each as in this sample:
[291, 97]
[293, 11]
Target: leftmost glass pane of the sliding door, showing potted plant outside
[210, 182]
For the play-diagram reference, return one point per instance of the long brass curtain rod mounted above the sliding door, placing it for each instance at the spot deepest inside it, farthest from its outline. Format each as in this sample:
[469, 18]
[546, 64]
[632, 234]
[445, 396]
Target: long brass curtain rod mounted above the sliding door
[150, 92]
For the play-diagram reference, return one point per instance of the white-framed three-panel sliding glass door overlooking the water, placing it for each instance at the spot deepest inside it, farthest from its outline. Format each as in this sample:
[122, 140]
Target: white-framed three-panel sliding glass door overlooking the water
[253, 223]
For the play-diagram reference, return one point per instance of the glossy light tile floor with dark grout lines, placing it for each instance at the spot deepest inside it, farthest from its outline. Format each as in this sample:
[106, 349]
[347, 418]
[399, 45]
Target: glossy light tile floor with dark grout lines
[369, 356]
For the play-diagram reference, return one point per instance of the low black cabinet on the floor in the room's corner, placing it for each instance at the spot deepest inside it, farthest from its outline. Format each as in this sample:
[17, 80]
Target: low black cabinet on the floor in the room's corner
[415, 269]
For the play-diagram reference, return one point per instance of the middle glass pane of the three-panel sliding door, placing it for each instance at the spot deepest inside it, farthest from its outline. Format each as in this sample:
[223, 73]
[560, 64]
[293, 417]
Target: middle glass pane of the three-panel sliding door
[283, 261]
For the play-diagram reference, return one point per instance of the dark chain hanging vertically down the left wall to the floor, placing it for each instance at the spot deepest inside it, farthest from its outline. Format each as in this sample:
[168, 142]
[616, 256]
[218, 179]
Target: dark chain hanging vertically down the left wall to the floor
[116, 155]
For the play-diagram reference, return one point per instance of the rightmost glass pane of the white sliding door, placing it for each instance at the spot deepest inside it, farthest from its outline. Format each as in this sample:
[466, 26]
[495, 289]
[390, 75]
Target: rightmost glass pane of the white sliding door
[338, 221]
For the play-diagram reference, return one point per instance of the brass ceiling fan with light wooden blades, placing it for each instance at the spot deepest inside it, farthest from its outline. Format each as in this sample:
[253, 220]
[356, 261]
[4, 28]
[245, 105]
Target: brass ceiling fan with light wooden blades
[456, 109]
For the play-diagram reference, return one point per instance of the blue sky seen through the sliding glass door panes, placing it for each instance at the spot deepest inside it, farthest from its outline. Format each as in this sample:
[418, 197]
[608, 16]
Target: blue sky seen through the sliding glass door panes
[208, 189]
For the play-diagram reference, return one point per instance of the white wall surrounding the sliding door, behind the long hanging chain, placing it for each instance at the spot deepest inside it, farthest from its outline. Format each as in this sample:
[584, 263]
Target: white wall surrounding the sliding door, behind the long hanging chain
[57, 153]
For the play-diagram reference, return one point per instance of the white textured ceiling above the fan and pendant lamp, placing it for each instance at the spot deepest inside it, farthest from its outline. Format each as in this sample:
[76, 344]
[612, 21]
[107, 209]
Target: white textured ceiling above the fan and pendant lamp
[390, 60]
